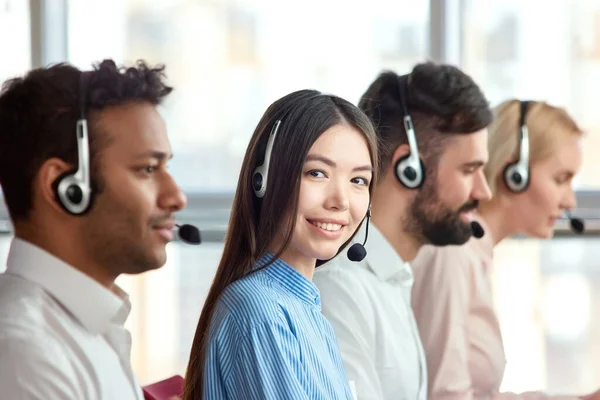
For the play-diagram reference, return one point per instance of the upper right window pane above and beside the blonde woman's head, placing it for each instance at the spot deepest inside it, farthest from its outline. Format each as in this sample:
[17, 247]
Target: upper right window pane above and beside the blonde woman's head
[512, 52]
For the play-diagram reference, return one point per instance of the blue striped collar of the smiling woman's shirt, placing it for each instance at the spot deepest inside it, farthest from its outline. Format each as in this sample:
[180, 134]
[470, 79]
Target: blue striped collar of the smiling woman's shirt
[291, 280]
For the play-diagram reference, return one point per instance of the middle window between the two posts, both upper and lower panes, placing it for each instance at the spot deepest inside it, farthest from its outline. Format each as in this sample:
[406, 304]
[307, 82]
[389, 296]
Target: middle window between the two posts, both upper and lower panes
[228, 60]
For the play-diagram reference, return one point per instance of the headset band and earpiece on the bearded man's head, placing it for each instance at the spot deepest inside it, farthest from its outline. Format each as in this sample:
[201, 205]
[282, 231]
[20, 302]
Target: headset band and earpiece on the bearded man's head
[410, 170]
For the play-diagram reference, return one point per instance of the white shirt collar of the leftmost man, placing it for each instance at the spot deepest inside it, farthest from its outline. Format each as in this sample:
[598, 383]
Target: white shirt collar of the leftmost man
[87, 300]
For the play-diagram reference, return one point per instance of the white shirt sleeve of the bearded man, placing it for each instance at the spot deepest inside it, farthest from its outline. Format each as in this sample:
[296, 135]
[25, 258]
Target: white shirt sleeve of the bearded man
[345, 305]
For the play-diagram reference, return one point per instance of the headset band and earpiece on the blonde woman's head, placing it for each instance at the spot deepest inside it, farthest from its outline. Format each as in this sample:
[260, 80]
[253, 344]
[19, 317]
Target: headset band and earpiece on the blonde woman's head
[516, 175]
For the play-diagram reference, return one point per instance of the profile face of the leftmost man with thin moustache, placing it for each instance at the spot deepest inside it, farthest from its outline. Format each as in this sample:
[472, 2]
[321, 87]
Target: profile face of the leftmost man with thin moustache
[132, 218]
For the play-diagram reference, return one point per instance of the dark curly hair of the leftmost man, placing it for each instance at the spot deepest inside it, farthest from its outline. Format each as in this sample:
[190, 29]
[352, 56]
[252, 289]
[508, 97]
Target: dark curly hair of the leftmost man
[39, 113]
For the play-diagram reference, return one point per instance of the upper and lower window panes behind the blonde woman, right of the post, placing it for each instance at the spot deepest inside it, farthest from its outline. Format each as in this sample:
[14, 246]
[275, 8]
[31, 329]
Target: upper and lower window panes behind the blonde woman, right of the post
[546, 300]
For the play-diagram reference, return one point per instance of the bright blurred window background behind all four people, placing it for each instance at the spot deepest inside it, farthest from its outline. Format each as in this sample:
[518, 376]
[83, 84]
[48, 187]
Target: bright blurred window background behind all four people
[229, 59]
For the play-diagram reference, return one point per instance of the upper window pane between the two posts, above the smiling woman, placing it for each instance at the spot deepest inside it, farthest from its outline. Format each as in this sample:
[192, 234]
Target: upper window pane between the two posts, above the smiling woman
[228, 60]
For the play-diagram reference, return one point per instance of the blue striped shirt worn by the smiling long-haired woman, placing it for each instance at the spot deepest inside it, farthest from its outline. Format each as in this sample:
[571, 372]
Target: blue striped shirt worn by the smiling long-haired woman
[269, 340]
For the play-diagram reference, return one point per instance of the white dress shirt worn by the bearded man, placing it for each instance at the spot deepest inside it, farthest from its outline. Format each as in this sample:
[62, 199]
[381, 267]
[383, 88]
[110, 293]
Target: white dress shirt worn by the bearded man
[368, 305]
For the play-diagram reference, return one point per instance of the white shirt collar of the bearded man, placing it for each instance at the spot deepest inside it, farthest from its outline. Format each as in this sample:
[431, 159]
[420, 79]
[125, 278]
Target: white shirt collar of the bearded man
[383, 259]
